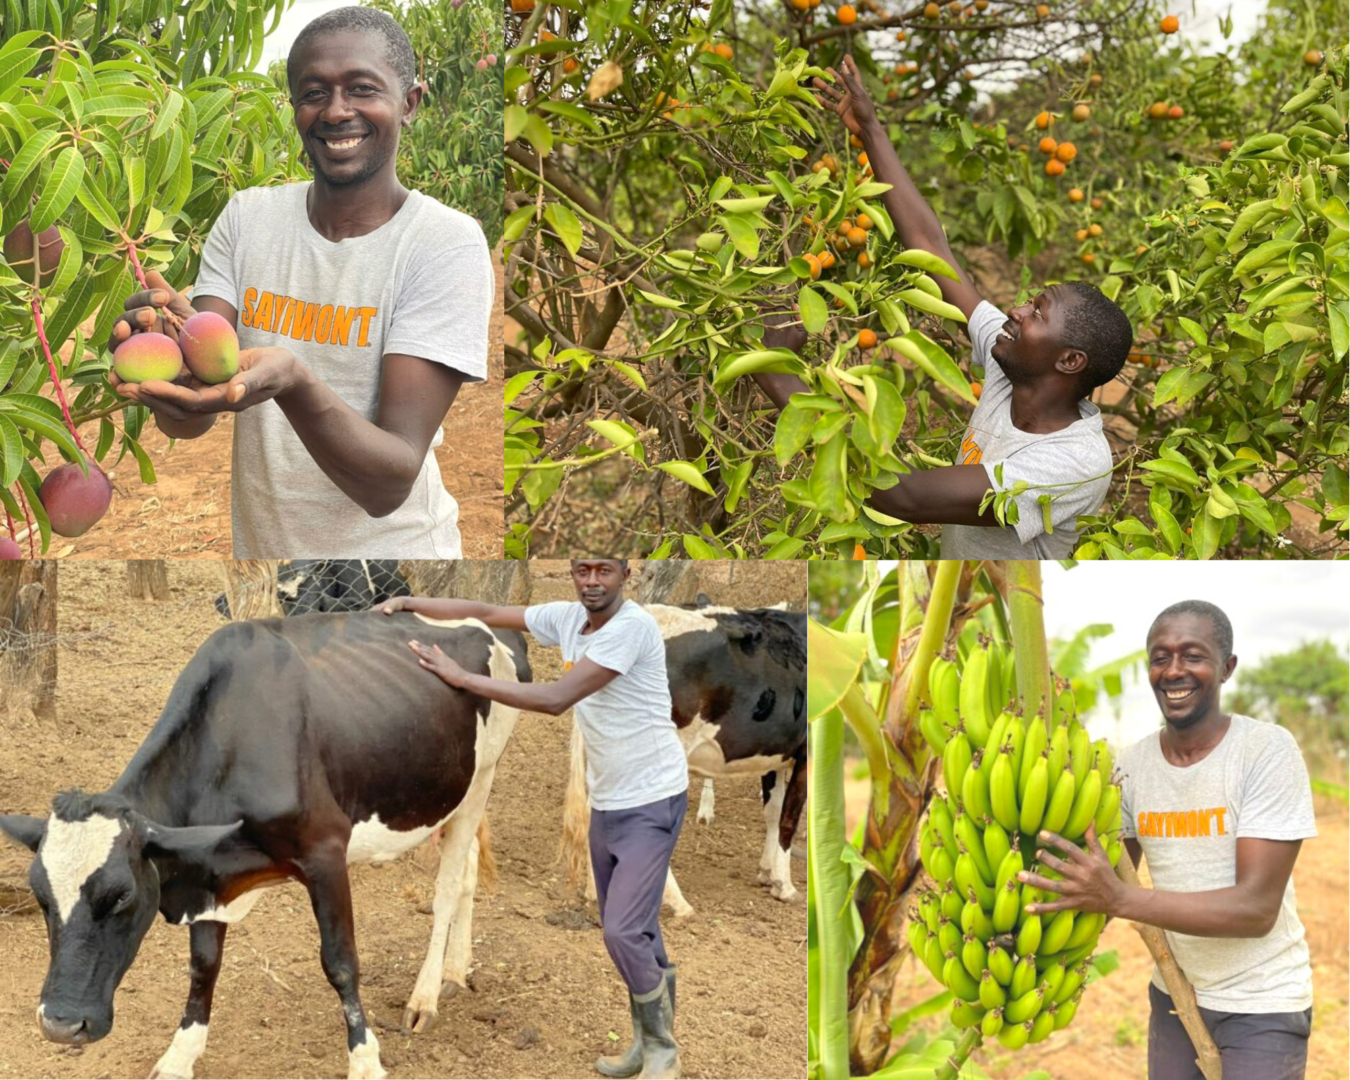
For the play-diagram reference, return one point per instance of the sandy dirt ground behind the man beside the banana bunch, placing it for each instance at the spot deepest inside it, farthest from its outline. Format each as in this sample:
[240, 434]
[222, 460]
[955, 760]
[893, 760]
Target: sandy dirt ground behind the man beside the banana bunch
[1110, 1042]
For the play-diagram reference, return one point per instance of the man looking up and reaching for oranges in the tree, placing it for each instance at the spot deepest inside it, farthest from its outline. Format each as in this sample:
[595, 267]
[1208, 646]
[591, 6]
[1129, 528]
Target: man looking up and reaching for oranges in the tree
[1033, 423]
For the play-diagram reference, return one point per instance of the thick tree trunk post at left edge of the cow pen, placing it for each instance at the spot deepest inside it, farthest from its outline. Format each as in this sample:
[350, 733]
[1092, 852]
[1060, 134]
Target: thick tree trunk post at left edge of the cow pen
[29, 634]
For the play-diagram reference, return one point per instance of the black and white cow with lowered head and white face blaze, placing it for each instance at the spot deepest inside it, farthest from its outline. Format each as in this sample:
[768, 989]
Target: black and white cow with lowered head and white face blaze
[290, 749]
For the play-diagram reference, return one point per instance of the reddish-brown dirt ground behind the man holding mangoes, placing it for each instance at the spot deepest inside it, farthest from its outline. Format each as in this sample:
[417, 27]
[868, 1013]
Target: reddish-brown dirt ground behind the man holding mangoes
[186, 514]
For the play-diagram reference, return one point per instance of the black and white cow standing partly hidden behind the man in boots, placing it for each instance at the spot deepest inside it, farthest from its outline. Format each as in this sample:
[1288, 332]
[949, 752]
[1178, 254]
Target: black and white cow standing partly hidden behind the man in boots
[738, 681]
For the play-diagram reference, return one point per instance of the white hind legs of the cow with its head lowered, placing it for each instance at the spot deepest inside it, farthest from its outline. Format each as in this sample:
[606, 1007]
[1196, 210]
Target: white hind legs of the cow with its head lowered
[453, 919]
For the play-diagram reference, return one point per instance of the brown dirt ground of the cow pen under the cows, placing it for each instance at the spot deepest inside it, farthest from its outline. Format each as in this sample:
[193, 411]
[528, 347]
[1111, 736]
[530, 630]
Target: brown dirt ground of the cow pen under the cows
[546, 998]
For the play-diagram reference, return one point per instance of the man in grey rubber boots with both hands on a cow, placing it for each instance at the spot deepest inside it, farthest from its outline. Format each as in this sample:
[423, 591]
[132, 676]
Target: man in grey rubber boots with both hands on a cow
[637, 773]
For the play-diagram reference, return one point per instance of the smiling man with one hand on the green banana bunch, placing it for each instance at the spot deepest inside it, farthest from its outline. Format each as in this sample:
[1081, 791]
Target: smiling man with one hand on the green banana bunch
[1220, 805]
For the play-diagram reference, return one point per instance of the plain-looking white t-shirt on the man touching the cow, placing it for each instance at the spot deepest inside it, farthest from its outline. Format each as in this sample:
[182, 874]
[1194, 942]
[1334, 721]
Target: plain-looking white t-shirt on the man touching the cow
[634, 755]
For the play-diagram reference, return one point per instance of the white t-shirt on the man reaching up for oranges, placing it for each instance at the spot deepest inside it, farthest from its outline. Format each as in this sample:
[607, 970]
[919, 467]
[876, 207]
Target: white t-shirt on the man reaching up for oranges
[1073, 465]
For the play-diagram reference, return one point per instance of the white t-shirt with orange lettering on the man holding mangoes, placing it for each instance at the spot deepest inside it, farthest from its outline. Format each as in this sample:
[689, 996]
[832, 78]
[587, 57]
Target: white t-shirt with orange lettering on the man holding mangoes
[422, 284]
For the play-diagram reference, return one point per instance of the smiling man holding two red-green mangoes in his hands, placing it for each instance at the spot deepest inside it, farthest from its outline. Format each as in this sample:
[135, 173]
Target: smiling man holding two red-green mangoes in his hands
[361, 307]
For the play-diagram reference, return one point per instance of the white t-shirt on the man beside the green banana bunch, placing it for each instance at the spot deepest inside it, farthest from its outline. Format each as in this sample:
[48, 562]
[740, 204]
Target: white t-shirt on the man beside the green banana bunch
[1189, 823]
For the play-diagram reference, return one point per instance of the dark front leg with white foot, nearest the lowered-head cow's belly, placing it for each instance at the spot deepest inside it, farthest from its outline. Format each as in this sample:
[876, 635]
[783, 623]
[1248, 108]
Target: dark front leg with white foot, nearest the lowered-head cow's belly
[330, 894]
